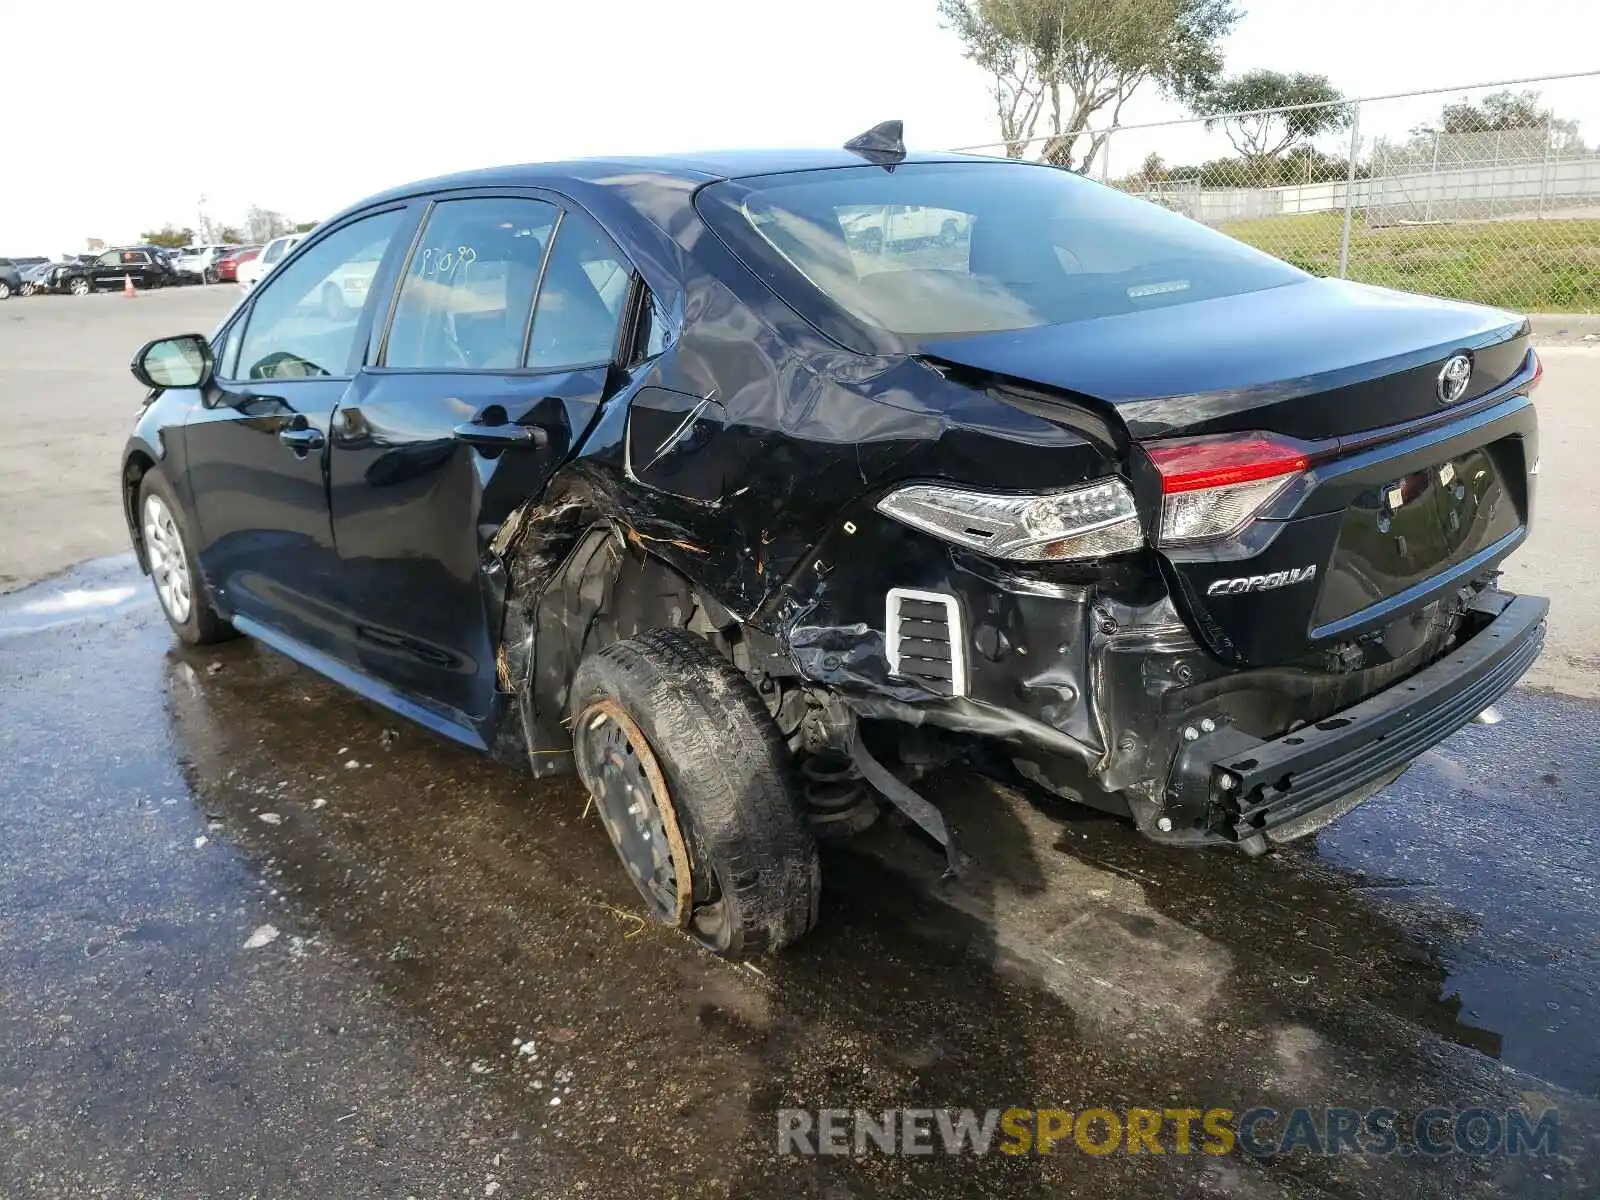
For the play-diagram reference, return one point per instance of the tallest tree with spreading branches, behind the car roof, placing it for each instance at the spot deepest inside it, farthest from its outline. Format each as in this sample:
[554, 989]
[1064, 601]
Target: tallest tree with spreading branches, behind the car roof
[1073, 60]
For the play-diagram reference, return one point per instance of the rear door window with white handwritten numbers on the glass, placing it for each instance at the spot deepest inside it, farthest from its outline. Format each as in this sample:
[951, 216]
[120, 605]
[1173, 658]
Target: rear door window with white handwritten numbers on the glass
[470, 286]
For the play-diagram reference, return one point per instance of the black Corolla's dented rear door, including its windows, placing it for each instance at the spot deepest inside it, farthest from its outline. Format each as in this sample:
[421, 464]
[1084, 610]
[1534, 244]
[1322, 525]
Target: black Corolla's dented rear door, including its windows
[470, 407]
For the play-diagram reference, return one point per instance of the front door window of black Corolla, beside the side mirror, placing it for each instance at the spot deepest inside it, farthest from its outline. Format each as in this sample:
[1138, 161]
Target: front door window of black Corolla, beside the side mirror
[305, 318]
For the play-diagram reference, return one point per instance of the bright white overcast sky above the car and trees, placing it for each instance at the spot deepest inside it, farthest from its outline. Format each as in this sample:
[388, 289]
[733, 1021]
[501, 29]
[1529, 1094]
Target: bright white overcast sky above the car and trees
[306, 106]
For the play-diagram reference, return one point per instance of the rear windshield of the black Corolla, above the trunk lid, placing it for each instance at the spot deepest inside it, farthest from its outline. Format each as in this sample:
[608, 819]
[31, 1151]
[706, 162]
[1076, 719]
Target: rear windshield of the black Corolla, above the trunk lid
[950, 249]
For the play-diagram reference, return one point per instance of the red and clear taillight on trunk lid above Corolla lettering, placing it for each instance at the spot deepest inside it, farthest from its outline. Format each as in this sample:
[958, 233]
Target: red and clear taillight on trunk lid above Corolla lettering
[1214, 487]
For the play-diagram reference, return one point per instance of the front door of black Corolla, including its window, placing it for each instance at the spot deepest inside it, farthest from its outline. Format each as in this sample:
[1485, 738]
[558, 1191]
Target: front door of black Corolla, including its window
[257, 447]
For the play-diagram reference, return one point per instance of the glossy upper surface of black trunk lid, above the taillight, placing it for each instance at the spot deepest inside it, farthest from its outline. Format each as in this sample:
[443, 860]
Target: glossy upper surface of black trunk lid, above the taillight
[1258, 359]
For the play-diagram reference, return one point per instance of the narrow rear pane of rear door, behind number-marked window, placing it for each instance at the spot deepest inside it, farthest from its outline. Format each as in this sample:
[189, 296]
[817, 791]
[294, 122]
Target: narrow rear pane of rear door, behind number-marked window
[582, 300]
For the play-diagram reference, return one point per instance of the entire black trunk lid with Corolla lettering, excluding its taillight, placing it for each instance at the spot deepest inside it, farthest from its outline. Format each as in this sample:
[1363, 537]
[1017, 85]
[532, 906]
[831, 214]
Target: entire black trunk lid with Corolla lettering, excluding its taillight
[1394, 511]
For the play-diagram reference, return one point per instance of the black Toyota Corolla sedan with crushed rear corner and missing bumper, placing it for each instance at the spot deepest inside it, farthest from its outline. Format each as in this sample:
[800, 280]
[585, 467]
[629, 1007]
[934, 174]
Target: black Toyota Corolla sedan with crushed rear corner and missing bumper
[750, 486]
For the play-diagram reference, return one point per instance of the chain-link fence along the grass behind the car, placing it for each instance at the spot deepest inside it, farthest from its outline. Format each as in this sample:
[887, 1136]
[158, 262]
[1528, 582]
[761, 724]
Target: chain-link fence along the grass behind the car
[1487, 194]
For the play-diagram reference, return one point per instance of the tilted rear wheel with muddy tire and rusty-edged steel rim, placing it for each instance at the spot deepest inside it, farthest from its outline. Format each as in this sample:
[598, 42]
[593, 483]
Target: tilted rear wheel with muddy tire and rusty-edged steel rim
[674, 745]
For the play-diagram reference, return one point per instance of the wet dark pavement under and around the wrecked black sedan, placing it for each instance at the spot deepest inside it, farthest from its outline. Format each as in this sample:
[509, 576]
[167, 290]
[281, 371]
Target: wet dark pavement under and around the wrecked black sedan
[438, 914]
